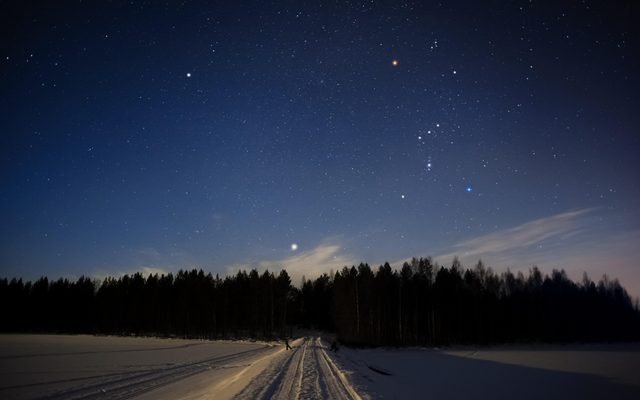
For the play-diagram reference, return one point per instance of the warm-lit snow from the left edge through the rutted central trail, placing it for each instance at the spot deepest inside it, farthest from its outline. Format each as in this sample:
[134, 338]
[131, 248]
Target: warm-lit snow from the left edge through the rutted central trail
[82, 367]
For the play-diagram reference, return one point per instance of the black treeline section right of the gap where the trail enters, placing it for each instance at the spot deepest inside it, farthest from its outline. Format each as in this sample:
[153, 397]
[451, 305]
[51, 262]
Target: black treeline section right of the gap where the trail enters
[424, 304]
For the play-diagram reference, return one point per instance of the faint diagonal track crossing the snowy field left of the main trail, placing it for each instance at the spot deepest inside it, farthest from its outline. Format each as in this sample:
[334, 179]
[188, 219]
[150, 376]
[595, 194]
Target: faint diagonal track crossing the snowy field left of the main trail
[128, 385]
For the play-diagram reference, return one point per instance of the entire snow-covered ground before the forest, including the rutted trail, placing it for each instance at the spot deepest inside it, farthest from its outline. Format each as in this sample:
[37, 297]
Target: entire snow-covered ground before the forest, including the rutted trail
[83, 367]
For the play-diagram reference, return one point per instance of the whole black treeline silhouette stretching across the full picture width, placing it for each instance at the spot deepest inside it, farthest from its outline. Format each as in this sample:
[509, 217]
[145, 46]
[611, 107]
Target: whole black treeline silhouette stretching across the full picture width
[422, 303]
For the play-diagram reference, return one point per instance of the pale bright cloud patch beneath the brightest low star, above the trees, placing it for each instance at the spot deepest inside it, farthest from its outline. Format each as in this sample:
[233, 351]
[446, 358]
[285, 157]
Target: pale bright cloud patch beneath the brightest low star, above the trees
[311, 264]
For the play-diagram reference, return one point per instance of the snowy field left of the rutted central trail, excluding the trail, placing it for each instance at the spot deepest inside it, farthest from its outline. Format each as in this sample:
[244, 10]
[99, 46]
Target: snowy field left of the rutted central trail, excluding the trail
[76, 367]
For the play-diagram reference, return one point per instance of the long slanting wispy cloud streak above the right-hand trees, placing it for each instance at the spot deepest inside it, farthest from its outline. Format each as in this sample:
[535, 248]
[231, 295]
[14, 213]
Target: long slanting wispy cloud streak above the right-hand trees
[529, 237]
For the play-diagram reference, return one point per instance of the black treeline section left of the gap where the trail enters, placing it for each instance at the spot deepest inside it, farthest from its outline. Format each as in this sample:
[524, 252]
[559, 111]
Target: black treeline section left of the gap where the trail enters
[187, 304]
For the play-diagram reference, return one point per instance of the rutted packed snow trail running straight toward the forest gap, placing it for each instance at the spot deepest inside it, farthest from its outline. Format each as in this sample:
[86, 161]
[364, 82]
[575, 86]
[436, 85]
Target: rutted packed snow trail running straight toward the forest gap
[307, 372]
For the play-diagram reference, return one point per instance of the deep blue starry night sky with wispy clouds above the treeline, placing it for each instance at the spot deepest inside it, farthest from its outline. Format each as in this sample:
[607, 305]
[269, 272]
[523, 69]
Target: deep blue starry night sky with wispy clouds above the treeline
[154, 136]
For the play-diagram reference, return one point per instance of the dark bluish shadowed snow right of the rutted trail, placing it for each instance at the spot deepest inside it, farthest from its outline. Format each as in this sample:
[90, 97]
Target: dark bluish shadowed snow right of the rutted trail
[504, 372]
